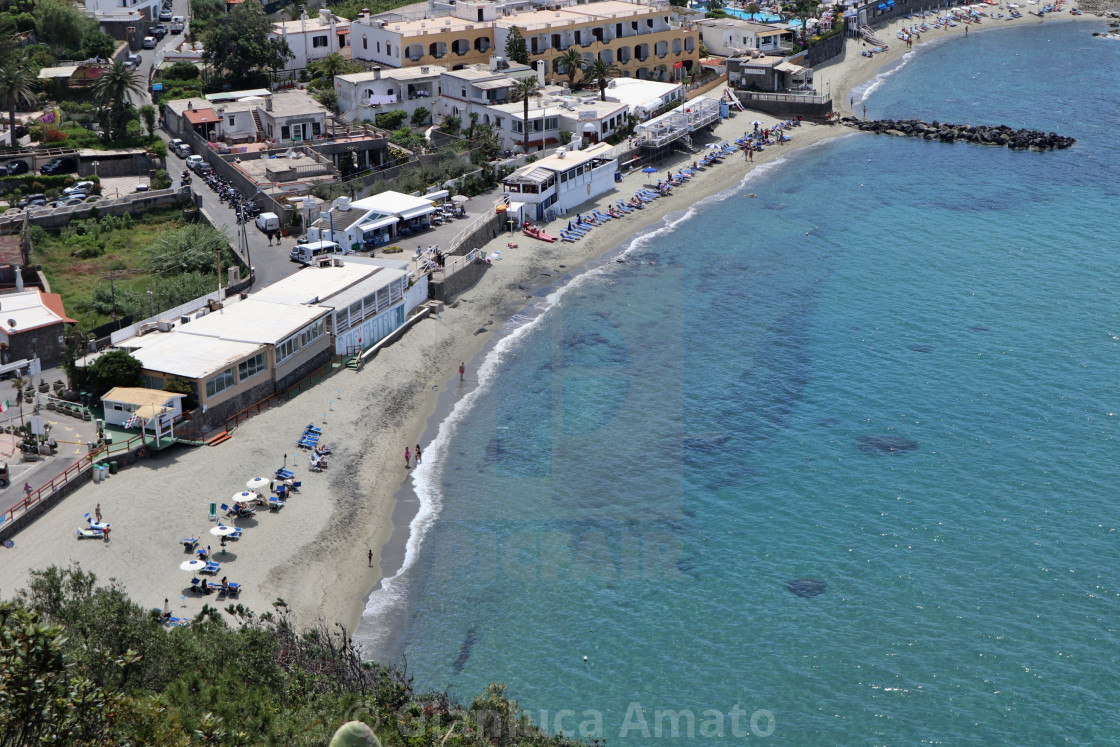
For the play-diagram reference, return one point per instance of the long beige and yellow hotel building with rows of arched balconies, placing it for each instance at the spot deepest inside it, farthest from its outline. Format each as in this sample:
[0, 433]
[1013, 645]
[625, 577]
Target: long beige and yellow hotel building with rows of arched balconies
[641, 39]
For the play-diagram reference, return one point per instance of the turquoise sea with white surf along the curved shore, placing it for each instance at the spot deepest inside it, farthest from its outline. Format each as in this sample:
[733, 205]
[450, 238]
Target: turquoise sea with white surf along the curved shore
[674, 440]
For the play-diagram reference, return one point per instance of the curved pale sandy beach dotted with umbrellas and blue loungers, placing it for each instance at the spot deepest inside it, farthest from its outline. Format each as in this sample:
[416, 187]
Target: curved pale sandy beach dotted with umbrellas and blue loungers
[313, 554]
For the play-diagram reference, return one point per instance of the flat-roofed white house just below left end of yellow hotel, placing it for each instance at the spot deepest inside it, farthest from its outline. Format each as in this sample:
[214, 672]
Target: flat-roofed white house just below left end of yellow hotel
[365, 96]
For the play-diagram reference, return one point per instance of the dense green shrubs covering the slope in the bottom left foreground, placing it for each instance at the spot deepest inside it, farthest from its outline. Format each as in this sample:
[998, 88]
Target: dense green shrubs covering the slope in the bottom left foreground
[82, 666]
